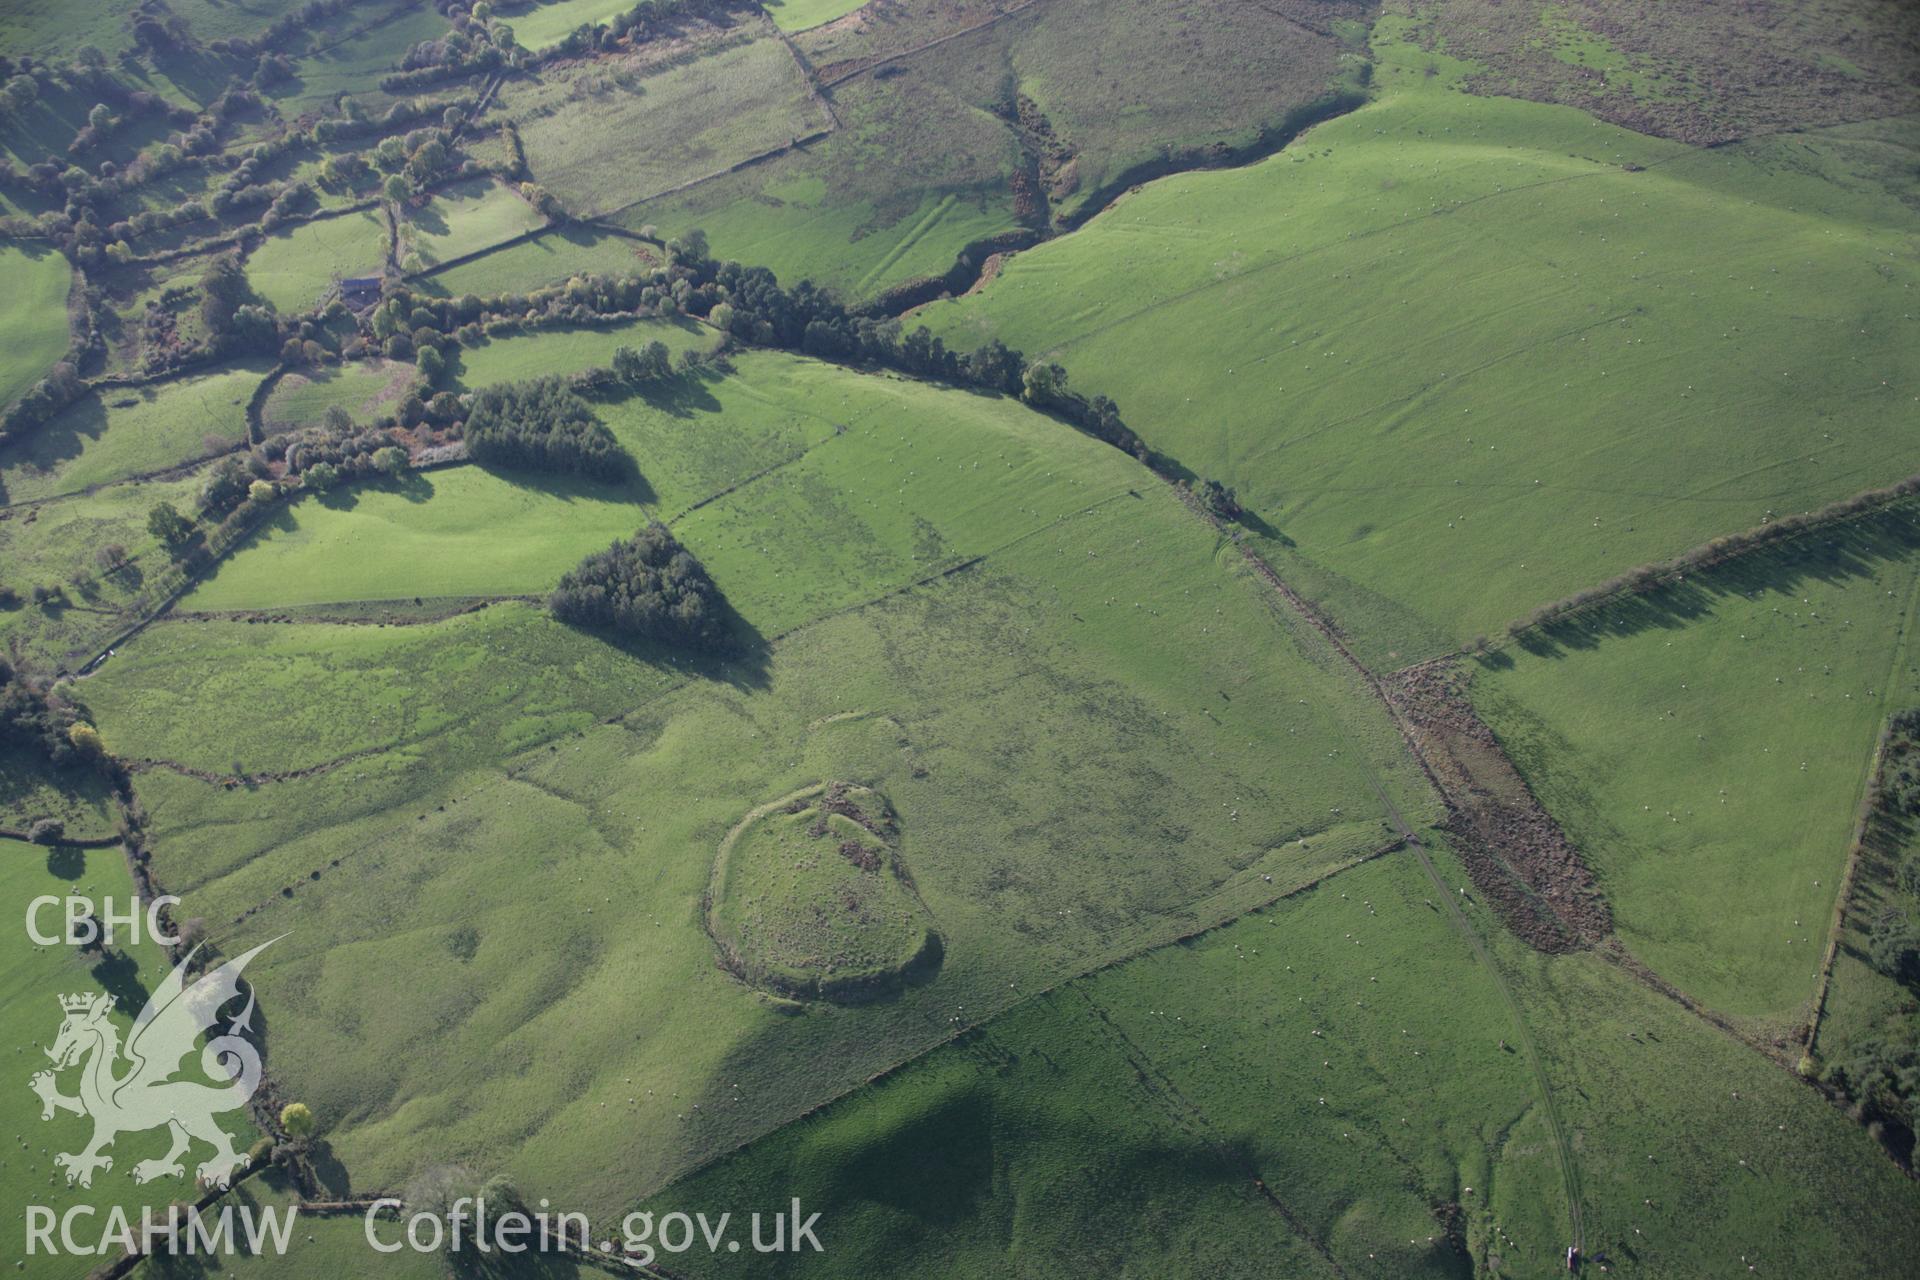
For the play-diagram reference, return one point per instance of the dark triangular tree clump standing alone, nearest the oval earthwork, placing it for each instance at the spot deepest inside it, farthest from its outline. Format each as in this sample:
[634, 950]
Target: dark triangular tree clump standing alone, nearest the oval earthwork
[646, 586]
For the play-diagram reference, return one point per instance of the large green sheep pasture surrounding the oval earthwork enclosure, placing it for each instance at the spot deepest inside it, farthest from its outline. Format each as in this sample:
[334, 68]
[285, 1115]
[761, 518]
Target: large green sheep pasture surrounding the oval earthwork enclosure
[456, 747]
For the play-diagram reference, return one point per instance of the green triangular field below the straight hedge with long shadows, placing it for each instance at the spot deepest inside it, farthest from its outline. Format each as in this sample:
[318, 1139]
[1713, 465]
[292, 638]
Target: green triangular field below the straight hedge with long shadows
[1717, 736]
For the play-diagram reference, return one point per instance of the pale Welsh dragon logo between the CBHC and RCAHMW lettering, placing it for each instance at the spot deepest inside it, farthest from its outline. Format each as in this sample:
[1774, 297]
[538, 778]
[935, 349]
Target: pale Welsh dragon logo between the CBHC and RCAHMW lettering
[145, 1093]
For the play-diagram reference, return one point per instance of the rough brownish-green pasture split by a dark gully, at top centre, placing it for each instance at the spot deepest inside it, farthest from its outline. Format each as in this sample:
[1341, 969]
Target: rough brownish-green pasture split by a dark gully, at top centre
[926, 156]
